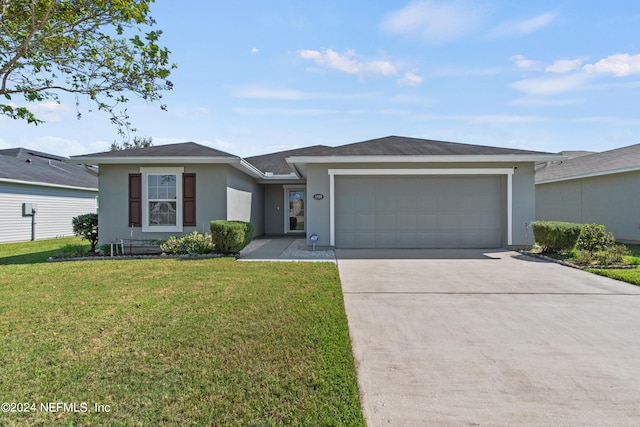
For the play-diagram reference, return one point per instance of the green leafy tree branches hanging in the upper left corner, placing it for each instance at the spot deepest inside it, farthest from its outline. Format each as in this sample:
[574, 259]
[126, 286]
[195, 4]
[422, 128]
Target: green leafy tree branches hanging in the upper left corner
[95, 48]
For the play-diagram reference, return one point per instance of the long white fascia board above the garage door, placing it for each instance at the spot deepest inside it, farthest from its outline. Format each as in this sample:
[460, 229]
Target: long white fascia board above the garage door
[428, 159]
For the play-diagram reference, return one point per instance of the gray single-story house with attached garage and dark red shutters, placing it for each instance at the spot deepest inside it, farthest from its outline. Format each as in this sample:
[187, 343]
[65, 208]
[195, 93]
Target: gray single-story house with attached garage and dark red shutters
[391, 192]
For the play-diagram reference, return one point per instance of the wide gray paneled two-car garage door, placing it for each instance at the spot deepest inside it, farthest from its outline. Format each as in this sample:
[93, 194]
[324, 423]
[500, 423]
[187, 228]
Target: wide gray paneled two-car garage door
[419, 212]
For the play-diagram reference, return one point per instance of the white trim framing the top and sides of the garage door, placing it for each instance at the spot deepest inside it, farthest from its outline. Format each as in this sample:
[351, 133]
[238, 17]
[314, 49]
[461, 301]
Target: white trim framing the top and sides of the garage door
[397, 172]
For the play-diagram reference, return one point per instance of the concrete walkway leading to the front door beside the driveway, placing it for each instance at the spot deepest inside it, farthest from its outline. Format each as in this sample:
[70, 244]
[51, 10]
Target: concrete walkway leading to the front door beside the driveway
[284, 249]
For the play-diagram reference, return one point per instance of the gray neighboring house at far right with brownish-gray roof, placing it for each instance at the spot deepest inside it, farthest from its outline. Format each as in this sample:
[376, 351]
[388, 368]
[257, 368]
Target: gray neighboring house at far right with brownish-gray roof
[602, 188]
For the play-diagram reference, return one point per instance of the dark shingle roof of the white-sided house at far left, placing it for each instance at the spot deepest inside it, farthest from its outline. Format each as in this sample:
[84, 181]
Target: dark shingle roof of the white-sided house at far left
[22, 164]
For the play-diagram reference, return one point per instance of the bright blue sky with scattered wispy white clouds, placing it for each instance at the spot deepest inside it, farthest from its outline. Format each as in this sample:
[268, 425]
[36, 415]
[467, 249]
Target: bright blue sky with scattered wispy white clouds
[256, 77]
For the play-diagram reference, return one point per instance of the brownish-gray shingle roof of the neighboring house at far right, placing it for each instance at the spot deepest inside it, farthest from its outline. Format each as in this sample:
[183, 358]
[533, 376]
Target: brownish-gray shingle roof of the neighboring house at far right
[611, 161]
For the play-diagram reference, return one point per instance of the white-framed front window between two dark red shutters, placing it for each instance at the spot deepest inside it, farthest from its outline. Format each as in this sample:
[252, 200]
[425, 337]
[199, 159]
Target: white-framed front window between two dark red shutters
[162, 199]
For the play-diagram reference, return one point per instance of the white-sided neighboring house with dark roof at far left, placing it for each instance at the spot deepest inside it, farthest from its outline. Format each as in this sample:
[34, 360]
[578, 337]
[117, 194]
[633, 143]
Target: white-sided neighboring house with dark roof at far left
[40, 194]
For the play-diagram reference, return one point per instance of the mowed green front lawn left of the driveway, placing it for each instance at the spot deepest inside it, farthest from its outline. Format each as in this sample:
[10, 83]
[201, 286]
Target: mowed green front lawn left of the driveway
[174, 342]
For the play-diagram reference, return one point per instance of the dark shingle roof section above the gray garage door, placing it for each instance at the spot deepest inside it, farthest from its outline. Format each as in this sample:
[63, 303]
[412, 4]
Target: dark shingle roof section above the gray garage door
[402, 146]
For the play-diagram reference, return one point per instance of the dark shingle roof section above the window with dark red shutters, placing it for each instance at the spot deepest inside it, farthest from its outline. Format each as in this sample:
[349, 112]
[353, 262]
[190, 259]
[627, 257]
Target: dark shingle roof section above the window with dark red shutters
[183, 149]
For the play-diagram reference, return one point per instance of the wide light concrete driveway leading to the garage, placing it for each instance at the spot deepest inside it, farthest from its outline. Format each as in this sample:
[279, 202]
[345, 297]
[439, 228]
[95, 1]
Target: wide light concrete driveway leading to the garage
[479, 338]
